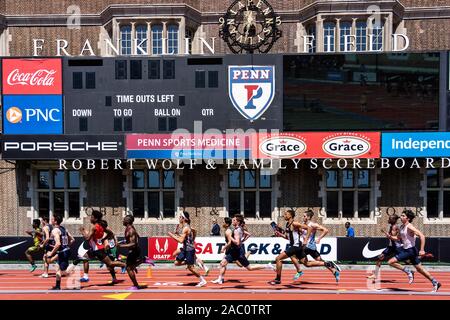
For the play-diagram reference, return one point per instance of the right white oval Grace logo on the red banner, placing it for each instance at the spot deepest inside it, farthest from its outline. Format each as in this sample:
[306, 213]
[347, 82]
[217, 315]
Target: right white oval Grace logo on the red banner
[346, 146]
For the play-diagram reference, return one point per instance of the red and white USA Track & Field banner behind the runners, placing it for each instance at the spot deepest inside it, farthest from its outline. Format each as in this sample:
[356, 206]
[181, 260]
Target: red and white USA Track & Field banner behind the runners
[209, 248]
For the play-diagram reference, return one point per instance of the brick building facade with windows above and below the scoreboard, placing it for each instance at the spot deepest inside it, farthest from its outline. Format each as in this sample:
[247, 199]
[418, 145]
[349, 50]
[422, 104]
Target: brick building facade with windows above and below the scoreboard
[207, 194]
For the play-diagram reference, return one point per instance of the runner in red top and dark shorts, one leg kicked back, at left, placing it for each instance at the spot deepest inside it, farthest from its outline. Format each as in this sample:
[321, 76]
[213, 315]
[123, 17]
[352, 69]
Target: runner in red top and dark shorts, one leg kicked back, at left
[95, 237]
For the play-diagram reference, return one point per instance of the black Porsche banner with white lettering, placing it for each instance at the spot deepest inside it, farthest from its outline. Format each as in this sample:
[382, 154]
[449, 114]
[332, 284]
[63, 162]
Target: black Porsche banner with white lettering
[37, 147]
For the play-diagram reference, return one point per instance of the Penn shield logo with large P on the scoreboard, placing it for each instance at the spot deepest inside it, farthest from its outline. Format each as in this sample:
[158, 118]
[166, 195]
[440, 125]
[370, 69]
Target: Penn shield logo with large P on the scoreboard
[251, 89]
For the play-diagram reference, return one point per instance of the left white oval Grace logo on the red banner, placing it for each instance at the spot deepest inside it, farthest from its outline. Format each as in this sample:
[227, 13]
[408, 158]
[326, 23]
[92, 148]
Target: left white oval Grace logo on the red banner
[282, 147]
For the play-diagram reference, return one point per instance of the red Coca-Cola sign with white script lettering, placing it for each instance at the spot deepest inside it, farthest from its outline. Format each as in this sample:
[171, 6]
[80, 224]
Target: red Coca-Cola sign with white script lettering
[32, 76]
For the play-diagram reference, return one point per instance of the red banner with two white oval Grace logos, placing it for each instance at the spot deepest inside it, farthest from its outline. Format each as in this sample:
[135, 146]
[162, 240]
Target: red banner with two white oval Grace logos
[321, 145]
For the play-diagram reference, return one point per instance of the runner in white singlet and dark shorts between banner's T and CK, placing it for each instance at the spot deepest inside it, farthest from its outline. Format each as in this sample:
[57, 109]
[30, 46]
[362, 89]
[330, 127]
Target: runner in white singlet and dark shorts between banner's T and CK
[235, 251]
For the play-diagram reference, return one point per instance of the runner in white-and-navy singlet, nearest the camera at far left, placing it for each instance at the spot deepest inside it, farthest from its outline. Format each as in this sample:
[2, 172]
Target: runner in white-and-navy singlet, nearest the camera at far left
[61, 250]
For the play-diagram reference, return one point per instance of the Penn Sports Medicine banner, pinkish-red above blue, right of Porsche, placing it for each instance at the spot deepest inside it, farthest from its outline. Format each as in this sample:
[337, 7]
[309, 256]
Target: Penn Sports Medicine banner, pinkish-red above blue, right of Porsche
[187, 146]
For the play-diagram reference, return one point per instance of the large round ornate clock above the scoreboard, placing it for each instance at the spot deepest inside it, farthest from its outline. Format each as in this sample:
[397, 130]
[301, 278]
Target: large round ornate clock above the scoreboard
[250, 25]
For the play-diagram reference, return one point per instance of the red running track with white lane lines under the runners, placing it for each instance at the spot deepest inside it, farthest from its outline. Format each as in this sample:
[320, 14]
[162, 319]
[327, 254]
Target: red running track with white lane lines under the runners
[240, 284]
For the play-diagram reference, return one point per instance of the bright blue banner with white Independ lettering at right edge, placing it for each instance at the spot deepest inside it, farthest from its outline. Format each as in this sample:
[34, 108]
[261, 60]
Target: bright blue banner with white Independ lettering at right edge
[415, 144]
